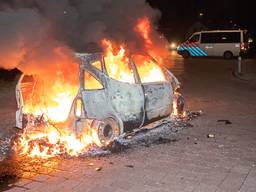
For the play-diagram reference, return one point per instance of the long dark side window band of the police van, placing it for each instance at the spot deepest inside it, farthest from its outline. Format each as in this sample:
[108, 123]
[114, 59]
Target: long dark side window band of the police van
[221, 37]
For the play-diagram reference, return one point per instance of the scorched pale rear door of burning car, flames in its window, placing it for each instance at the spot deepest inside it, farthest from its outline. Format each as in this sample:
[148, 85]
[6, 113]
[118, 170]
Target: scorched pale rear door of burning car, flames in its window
[124, 93]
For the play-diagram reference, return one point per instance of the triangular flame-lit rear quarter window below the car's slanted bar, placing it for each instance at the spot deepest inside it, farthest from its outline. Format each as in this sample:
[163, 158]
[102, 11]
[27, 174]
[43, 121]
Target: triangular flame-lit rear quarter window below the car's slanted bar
[90, 82]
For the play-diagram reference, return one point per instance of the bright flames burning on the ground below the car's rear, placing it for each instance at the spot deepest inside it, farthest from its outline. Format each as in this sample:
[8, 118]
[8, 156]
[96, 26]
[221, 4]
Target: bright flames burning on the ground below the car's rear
[52, 142]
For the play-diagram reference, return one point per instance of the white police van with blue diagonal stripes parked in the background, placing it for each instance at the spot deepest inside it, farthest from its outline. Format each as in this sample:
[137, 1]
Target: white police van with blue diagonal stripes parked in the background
[220, 43]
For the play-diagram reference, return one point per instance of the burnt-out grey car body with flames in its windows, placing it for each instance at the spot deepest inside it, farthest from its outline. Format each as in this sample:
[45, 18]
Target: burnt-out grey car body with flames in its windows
[107, 103]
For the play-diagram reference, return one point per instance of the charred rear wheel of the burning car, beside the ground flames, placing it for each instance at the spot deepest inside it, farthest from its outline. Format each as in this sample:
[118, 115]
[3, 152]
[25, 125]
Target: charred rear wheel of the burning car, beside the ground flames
[107, 130]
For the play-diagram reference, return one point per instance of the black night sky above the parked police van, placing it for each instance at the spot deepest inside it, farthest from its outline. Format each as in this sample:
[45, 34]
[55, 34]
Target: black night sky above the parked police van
[179, 15]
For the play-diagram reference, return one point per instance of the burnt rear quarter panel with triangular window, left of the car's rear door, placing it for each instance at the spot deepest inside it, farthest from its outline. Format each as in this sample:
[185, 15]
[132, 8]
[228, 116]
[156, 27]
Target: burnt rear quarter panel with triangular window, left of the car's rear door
[91, 101]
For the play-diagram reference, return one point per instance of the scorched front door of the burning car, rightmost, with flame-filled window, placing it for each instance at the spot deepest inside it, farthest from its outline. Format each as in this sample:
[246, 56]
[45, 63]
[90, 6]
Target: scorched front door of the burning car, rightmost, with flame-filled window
[157, 90]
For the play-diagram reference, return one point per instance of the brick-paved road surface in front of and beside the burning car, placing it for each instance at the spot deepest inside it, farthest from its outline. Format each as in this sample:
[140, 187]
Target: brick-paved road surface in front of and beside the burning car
[226, 162]
